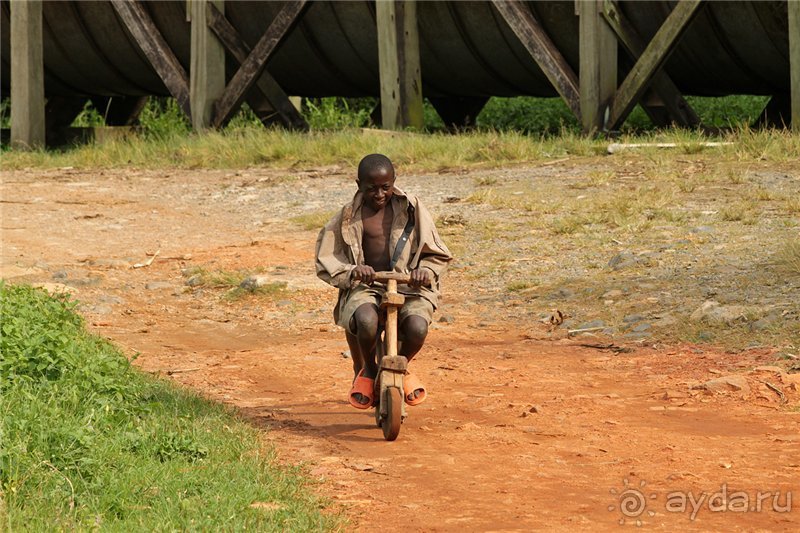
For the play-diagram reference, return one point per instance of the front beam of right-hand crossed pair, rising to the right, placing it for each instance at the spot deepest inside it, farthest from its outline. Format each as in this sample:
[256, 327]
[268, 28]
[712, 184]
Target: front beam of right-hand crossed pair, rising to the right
[653, 57]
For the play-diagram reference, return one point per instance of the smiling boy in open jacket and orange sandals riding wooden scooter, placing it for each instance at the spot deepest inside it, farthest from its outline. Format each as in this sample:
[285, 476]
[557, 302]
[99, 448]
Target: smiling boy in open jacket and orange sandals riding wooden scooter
[382, 229]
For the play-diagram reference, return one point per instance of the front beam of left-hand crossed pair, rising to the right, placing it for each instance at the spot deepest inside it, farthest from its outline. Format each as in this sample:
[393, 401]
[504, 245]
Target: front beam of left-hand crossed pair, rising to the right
[252, 67]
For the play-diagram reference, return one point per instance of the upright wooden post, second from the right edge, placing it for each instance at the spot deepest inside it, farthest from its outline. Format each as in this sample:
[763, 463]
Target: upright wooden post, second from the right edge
[598, 65]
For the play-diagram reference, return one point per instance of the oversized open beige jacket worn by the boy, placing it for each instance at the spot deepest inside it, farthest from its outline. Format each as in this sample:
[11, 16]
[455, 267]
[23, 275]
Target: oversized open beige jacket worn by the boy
[339, 248]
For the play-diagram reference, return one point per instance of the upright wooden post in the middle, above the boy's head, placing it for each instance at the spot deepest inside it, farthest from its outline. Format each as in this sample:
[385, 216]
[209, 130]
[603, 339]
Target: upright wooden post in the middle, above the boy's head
[398, 61]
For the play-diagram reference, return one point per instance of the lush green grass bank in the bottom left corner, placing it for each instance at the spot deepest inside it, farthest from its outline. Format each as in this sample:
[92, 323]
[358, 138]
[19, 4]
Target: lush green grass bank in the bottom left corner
[88, 442]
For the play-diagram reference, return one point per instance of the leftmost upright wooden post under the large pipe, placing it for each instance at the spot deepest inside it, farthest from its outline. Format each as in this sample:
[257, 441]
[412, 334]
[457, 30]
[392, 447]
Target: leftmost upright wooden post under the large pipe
[27, 75]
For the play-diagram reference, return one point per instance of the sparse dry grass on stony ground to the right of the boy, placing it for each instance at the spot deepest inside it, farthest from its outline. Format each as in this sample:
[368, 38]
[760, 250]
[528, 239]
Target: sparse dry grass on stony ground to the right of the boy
[688, 227]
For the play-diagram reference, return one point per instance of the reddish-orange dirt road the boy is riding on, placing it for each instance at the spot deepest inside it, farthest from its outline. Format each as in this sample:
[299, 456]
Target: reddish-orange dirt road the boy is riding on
[523, 430]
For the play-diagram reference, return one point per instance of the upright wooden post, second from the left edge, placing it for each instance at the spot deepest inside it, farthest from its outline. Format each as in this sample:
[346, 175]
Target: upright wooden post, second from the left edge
[207, 71]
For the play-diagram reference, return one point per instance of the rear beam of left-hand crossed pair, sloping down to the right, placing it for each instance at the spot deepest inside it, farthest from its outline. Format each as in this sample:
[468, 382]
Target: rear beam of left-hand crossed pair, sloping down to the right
[276, 98]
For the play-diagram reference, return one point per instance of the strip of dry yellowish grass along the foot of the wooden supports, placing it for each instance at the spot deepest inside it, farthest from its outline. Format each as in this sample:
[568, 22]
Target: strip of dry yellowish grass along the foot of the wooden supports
[253, 147]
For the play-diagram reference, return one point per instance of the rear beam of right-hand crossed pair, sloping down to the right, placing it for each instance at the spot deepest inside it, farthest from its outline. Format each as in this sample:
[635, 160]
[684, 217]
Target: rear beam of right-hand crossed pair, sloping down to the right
[678, 109]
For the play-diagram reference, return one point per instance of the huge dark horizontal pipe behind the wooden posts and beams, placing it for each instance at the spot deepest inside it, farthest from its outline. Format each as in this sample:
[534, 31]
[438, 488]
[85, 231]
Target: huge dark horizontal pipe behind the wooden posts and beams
[735, 47]
